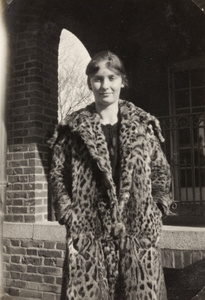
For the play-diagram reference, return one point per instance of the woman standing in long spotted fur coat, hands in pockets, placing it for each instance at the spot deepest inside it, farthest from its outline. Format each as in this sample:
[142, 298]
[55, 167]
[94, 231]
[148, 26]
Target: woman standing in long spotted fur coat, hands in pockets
[111, 185]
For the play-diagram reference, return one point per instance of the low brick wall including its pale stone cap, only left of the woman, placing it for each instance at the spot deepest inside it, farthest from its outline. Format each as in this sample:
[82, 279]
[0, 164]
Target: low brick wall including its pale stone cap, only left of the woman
[33, 260]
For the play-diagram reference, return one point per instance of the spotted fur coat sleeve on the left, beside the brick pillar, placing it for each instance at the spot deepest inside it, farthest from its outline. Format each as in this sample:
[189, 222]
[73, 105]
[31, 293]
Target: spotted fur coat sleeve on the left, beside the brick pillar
[60, 178]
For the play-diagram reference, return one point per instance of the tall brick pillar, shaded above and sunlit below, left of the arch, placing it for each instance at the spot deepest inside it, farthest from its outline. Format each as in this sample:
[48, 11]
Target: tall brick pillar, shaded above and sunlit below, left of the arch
[32, 110]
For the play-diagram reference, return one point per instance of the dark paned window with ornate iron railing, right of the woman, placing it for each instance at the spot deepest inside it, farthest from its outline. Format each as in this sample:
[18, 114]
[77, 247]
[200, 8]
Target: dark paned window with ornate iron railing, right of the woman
[184, 130]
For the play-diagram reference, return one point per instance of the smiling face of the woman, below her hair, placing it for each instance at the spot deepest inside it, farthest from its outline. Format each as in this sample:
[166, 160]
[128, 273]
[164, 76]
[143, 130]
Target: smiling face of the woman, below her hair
[106, 86]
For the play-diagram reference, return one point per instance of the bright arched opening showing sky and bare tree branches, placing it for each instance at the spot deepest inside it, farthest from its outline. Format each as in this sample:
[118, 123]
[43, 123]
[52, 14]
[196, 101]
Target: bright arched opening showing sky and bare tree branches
[73, 92]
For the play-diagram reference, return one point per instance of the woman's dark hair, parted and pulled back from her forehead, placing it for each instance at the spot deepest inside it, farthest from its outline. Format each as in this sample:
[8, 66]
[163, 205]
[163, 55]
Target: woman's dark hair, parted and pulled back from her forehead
[113, 62]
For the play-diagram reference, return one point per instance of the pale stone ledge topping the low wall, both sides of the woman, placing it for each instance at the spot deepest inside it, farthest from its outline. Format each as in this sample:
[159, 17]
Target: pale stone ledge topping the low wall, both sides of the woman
[173, 237]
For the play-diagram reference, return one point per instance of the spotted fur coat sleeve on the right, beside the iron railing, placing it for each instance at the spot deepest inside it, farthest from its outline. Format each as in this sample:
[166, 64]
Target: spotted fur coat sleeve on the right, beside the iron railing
[160, 177]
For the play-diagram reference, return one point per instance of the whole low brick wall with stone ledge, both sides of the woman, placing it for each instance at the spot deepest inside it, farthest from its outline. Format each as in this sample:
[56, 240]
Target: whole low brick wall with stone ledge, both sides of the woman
[33, 260]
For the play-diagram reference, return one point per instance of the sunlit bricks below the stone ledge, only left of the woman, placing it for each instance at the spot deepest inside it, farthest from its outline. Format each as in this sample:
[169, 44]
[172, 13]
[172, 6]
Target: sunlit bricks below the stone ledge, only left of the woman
[33, 269]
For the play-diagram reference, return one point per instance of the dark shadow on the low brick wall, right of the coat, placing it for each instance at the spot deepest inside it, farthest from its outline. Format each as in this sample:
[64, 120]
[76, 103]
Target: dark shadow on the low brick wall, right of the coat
[186, 283]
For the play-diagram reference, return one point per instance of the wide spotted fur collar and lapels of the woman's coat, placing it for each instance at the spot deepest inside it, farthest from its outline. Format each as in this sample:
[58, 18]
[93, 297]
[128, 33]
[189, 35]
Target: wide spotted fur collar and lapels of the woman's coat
[135, 123]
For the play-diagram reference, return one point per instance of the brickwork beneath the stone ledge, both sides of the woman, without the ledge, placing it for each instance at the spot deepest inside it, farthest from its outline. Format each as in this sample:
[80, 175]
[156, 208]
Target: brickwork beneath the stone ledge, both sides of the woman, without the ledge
[33, 269]
